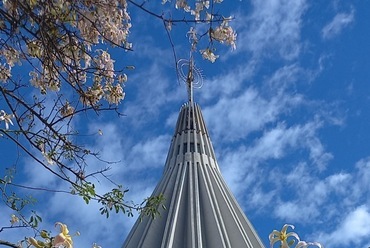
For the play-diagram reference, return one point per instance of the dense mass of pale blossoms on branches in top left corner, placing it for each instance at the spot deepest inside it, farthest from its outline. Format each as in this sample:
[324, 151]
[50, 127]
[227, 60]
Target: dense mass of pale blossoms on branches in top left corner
[61, 50]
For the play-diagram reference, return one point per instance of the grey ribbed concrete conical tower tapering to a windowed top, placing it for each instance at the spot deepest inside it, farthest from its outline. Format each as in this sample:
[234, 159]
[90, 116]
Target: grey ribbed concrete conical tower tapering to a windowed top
[200, 209]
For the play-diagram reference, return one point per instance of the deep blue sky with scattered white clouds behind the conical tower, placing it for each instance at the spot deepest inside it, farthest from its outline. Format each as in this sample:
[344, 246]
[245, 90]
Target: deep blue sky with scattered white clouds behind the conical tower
[287, 111]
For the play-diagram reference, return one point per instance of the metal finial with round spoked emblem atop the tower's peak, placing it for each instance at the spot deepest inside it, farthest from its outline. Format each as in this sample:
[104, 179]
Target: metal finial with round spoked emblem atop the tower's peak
[191, 75]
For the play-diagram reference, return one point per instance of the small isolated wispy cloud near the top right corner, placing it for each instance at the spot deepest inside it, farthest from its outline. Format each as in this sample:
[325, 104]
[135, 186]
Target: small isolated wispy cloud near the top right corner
[336, 26]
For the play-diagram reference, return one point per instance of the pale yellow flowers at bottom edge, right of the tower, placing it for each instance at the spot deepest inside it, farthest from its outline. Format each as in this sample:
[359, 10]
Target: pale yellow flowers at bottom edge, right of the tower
[289, 240]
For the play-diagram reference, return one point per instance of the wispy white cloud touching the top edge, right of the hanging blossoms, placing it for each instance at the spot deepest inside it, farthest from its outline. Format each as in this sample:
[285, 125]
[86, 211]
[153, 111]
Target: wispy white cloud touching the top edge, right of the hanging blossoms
[274, 25]
